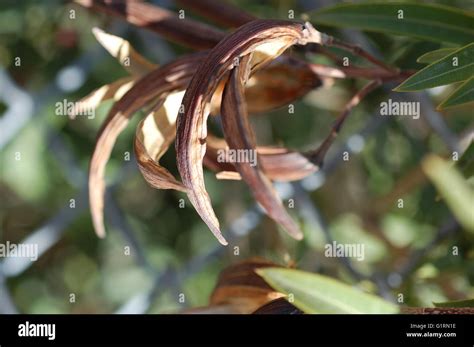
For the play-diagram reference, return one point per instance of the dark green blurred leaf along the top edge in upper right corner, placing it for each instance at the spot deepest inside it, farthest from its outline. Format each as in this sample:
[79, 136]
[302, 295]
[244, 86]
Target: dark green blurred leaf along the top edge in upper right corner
[431, 22]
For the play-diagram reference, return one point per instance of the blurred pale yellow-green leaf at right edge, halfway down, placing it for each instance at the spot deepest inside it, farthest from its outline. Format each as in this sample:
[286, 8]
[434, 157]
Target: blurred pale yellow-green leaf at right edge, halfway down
[453, 187]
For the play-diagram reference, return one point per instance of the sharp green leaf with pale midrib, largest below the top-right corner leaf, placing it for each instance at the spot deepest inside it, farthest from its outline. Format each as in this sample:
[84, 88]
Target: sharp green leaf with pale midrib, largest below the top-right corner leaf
[457, 66]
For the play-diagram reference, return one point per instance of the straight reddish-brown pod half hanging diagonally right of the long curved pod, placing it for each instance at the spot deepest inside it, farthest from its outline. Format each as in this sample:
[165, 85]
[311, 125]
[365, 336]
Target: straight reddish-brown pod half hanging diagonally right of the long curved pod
[239, 135]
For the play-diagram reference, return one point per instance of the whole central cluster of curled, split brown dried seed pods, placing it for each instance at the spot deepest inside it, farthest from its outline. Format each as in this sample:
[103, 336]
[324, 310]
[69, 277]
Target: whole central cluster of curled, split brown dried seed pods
[245, 73]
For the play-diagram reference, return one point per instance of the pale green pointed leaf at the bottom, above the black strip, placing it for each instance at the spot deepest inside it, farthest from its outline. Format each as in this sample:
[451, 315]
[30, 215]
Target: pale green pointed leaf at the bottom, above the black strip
[314, 293]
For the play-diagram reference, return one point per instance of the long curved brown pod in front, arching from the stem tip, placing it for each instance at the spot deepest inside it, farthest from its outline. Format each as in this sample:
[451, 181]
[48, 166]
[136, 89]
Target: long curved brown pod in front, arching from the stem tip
[266, 39]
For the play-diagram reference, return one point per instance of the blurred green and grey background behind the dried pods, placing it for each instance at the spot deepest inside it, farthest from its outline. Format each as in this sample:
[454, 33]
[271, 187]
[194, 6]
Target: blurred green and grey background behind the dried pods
[408, 250]
